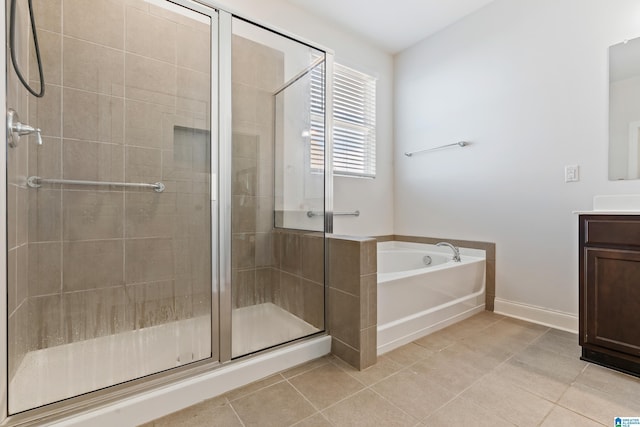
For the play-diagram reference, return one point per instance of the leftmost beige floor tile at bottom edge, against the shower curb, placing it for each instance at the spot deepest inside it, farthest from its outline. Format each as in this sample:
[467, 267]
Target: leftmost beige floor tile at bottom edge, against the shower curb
[208, 413]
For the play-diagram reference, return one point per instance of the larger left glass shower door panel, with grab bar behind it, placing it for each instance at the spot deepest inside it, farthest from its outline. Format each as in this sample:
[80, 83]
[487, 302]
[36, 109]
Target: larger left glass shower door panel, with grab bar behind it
[110, 224]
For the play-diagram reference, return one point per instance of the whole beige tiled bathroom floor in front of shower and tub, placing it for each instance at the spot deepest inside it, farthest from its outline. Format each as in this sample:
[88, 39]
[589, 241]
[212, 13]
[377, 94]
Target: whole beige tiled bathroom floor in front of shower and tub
[488, 370]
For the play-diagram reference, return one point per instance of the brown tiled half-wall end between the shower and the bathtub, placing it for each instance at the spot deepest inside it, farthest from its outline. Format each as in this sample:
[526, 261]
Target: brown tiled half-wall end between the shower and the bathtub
[352, 301]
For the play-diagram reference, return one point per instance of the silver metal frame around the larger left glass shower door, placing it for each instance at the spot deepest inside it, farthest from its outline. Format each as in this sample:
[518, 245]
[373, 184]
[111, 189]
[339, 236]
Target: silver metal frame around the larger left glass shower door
[135, 386]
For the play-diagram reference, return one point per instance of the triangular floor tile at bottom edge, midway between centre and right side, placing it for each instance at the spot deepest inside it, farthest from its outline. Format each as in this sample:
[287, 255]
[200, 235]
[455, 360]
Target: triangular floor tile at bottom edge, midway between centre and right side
[463, 412]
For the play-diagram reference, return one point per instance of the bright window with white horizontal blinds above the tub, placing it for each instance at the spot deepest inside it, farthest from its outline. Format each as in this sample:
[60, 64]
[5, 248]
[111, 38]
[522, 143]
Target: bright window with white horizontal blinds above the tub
[354, 122]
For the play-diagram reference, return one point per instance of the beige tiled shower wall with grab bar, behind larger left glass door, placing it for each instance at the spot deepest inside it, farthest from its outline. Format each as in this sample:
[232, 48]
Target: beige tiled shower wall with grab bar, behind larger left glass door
[125, 101]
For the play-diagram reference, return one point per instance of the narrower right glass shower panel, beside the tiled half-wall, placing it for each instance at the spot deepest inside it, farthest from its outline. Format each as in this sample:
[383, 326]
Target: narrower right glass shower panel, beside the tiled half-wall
[277, 210]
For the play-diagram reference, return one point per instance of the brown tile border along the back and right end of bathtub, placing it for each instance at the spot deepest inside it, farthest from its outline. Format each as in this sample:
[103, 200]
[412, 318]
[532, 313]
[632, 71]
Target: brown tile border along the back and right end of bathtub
[488, 247]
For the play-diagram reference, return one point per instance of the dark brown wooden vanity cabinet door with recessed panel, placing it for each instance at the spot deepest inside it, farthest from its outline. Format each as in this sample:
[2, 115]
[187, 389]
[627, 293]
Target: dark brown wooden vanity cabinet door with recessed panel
[612, 292]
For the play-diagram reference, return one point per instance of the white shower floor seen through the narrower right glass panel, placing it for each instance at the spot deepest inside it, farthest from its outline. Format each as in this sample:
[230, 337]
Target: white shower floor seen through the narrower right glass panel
[261, 326]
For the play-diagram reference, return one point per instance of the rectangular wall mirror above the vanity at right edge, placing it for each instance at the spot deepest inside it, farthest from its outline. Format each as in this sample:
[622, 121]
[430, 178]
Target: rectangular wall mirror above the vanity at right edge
[624, 110]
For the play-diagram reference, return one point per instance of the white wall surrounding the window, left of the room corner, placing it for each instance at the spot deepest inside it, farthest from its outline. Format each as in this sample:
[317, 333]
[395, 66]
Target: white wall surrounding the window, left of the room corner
[373, 198]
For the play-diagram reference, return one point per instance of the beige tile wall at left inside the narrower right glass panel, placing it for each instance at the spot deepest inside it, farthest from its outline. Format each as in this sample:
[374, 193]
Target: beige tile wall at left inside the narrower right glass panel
[252, 170]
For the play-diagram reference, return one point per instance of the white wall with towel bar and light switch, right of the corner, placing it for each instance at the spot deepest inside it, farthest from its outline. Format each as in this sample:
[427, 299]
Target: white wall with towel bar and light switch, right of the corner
[526, 81]
